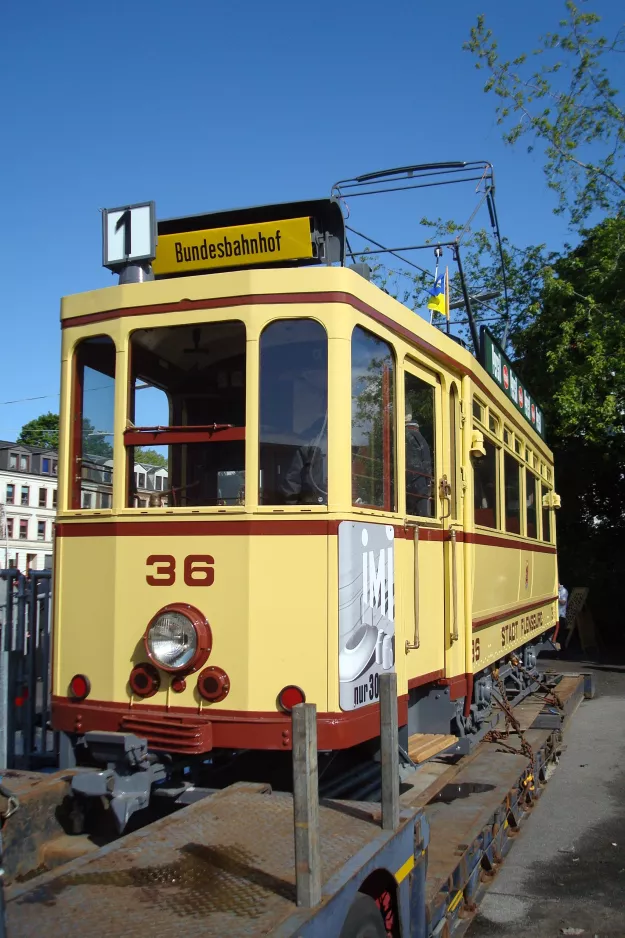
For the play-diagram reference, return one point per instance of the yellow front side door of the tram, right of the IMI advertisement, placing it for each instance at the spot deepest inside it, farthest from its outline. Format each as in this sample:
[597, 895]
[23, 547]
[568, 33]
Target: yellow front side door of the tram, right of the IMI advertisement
[425, 570]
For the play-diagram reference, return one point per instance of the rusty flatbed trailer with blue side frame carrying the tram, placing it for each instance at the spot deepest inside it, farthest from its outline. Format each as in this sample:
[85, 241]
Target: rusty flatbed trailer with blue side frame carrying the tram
[249, 861]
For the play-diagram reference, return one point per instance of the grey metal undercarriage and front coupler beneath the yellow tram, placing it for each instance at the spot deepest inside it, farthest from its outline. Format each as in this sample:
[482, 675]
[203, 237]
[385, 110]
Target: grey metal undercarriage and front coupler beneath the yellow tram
[133, 775]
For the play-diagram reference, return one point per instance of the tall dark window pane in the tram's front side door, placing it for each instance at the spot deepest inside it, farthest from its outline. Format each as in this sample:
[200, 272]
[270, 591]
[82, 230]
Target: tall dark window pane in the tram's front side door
[420, 430]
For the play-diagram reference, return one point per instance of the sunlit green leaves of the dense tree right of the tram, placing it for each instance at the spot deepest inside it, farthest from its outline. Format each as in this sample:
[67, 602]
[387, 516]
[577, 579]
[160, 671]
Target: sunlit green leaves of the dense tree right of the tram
[577, 339]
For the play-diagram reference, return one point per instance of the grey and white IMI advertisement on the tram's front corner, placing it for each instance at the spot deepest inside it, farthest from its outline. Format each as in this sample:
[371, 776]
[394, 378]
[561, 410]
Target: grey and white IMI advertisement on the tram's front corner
[366, 610]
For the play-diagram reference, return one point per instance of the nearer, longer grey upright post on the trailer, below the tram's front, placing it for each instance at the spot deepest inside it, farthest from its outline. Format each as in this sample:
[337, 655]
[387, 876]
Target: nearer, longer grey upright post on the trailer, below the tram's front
[306, 806]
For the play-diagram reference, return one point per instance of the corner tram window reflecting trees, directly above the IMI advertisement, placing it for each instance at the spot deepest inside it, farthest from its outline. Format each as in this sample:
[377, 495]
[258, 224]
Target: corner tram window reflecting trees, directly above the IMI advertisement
[373, 406]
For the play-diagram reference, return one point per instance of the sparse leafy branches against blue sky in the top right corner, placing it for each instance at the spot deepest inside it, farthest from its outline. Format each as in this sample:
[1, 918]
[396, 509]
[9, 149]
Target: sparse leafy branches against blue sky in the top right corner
[562, 96]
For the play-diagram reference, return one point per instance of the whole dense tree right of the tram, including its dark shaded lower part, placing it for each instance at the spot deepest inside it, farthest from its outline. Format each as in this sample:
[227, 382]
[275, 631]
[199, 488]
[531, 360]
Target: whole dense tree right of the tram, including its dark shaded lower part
[573, 357]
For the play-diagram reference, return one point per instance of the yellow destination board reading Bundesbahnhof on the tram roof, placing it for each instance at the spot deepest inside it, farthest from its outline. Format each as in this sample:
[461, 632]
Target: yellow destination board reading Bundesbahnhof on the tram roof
[239, 246]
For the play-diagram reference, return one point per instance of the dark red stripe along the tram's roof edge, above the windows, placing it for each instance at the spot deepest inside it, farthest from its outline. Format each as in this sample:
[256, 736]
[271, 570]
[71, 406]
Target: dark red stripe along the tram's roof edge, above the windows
[333, 296]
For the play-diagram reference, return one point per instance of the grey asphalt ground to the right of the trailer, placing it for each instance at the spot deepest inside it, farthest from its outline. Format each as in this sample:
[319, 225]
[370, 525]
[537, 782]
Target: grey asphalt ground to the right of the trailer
[566, 870]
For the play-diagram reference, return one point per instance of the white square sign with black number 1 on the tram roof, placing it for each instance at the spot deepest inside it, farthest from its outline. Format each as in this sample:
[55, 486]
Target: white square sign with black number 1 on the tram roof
[128, 234]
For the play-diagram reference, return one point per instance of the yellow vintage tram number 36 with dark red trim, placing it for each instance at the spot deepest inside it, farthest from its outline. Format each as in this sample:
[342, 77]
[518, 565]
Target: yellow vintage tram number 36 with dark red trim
[283, 546]
